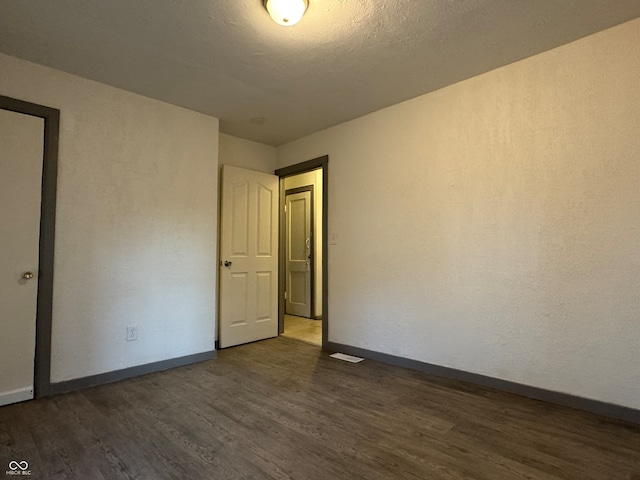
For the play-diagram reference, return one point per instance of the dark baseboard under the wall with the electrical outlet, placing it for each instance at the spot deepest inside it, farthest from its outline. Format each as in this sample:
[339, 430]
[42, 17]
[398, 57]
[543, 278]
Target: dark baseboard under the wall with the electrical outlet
[117, 375]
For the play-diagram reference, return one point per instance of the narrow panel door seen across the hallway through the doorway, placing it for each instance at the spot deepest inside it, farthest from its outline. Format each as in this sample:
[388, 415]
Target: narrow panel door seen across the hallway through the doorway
[298, 250]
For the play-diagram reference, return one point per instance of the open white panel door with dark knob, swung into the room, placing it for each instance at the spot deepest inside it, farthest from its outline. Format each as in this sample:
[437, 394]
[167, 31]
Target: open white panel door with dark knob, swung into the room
[248, 256]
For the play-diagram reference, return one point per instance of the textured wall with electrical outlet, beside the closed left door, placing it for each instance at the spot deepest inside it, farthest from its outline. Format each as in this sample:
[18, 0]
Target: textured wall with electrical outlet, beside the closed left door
[136, 223]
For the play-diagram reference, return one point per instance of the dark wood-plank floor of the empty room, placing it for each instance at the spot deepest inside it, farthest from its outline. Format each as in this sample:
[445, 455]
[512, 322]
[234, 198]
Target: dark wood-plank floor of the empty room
[282, 409]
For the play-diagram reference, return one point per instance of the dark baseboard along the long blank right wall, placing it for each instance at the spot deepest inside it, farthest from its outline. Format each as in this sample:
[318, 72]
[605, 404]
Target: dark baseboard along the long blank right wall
[594, 406]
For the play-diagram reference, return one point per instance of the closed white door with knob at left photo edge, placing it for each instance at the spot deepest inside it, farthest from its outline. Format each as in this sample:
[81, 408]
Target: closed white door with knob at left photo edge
[21, 150]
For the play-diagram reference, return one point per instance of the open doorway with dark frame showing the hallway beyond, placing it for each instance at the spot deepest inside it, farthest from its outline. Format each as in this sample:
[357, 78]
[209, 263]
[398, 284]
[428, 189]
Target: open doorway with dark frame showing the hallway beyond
[302, 298]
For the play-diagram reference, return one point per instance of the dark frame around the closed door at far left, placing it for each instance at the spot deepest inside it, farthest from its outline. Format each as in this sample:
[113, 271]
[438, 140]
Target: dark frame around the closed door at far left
[51, 116]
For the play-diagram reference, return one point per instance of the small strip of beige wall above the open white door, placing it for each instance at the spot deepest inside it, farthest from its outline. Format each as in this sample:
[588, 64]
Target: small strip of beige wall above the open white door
[246, 154]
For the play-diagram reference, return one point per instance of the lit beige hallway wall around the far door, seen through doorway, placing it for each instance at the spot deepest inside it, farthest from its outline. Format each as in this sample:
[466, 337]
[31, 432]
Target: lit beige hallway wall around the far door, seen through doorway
[302, 180]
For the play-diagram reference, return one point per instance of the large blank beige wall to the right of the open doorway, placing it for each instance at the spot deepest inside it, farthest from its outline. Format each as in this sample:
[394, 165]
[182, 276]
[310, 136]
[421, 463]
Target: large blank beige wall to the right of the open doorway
[493, 226]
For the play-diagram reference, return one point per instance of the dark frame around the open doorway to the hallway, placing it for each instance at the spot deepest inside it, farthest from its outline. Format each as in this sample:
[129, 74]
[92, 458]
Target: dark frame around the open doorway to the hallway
[314, 164]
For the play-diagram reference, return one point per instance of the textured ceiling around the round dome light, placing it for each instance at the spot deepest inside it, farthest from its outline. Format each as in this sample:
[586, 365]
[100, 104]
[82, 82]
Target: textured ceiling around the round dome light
[344, 59]
